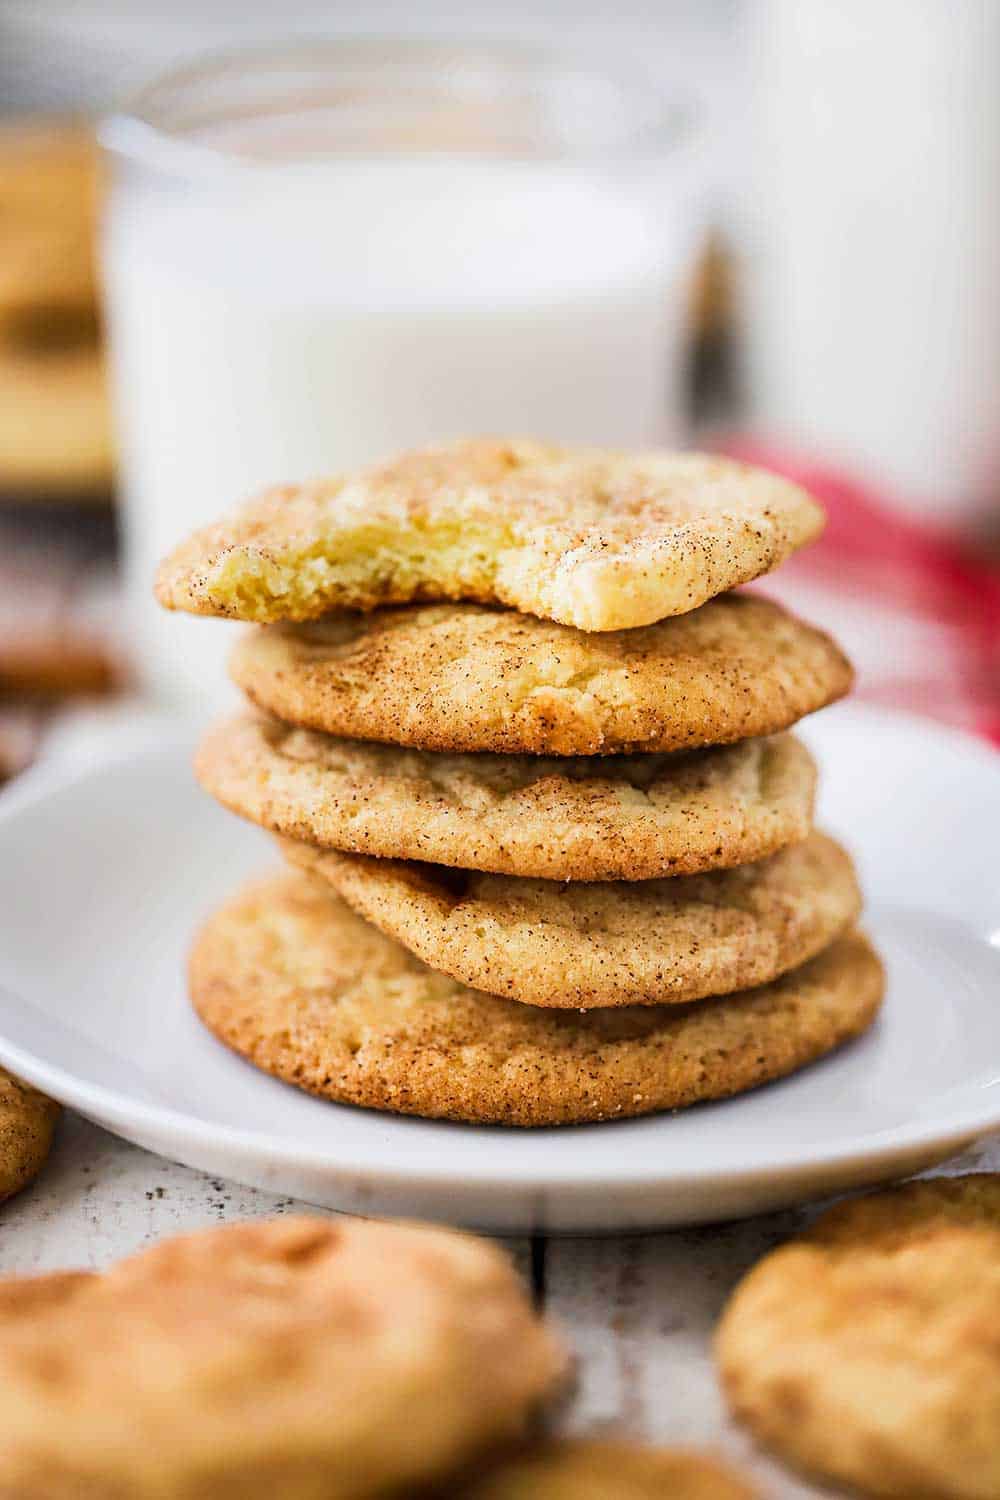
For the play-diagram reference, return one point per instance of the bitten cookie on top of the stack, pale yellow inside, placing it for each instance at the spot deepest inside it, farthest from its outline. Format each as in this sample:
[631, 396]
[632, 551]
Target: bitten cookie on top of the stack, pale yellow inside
[590, 538]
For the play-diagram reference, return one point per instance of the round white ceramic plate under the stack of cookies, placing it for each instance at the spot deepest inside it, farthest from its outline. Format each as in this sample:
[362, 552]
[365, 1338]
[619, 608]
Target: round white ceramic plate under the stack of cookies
[107, 872]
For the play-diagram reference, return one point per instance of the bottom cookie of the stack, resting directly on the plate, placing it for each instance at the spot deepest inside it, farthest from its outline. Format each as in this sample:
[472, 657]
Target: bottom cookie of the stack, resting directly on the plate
[293, 980]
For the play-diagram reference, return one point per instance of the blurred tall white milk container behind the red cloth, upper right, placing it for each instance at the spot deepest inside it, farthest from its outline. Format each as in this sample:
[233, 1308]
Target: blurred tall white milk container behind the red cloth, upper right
[873, 242]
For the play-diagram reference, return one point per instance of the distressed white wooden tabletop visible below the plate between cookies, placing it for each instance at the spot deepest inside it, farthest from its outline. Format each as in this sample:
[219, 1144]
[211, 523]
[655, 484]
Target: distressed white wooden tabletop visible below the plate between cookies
[639, 1312]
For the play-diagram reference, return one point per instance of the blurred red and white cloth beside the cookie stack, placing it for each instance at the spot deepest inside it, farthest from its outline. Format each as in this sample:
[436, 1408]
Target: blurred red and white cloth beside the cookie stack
[915, 608]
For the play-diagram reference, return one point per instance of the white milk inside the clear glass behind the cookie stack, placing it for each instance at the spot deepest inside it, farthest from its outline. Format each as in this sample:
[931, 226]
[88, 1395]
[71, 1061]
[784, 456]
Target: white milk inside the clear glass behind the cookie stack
[277, 320]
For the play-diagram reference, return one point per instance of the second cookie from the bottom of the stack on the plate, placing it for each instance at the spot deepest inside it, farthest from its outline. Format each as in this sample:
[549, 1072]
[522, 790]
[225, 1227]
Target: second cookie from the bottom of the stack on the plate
[581, 946]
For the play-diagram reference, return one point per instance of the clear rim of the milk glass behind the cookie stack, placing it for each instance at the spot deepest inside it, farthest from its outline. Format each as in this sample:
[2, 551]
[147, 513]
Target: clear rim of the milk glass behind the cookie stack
[662, 121]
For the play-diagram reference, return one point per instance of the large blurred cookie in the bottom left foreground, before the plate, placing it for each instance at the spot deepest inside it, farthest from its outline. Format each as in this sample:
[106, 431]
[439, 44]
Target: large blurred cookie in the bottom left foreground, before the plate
[305, 1358]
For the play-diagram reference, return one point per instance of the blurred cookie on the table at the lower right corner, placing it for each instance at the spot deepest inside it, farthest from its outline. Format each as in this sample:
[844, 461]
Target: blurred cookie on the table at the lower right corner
[869, 1351]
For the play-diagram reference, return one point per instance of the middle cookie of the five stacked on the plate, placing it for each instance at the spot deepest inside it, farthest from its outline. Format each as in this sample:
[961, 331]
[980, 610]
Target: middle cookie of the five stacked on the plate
[606, 818]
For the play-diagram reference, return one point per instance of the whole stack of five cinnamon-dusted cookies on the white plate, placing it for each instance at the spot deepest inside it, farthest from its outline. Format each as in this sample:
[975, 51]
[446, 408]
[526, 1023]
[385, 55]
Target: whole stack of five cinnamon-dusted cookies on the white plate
[551, 845]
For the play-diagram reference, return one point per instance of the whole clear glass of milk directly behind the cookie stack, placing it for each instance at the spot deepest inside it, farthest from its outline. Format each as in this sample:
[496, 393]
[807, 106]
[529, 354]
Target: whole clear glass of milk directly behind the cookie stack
[320, 256]
